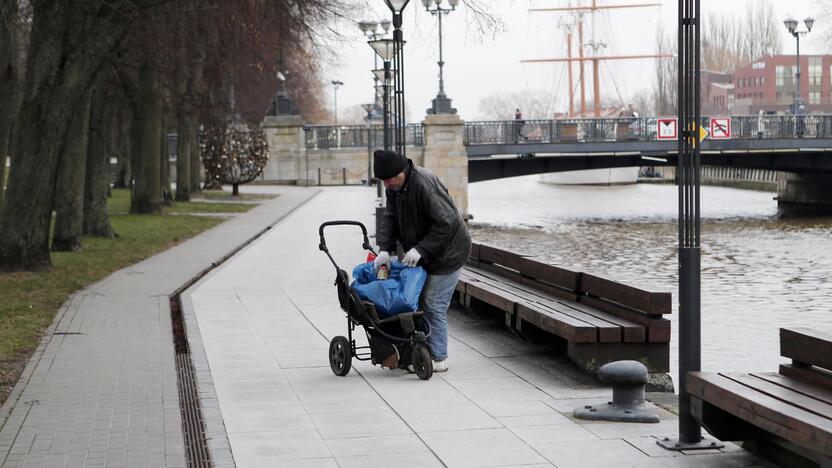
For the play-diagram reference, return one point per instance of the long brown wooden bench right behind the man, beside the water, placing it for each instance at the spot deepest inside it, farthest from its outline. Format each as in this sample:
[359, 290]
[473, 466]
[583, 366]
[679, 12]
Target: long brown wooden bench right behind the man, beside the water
[600, 320]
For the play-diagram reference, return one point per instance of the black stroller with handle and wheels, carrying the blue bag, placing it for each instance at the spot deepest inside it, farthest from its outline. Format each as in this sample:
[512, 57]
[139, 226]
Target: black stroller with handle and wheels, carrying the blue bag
[387, 337]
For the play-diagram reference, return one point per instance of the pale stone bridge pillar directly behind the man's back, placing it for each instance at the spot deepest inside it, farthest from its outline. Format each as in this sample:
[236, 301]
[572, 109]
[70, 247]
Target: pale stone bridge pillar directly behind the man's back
[444, 154]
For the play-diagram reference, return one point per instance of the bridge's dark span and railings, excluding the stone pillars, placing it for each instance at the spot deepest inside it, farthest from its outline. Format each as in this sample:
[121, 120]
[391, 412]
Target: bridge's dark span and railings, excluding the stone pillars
[498, 149]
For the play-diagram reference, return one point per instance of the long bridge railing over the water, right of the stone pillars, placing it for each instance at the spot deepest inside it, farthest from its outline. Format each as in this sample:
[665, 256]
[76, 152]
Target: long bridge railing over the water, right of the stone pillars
[637, 129]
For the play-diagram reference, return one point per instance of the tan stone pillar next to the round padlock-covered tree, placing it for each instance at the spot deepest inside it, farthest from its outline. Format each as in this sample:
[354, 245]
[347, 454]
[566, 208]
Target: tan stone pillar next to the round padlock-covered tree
[287, 149]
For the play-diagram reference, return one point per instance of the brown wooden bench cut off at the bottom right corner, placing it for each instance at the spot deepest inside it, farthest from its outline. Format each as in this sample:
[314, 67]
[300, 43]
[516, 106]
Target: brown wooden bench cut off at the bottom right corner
[786, 415]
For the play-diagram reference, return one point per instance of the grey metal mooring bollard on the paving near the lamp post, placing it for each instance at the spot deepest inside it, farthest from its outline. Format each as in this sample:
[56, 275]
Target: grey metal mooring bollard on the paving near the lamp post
[627, 379]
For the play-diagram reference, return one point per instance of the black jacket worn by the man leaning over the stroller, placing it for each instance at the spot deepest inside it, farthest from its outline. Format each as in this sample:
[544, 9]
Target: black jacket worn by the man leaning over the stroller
[422, 215]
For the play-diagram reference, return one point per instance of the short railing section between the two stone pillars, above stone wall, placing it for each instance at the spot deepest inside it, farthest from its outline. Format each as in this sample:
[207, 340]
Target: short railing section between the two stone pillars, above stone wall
[355, 136]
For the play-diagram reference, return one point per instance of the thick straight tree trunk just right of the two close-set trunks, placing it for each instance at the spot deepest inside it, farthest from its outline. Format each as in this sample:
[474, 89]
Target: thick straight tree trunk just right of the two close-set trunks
[147, 133]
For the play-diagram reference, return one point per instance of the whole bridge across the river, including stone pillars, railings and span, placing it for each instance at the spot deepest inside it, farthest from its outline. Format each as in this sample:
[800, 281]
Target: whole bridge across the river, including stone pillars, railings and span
[795, 145]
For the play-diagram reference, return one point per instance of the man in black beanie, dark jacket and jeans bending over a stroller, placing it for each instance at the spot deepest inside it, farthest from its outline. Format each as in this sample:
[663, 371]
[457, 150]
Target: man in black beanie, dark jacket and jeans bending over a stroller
[421, 216]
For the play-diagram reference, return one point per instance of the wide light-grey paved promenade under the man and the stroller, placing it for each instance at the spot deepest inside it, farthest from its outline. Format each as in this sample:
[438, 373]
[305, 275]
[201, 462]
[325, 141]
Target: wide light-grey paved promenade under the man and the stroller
[264, 320]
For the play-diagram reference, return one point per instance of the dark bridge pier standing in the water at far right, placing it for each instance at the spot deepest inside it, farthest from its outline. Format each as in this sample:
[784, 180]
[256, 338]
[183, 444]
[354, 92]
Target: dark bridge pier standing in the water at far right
[804, 193]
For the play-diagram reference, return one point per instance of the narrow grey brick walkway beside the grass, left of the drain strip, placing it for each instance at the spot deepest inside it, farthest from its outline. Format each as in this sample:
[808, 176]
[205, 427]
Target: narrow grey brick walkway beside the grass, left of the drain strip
[101, 389]
